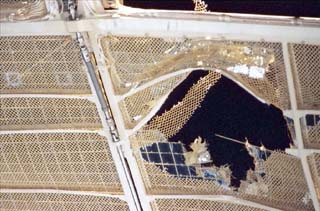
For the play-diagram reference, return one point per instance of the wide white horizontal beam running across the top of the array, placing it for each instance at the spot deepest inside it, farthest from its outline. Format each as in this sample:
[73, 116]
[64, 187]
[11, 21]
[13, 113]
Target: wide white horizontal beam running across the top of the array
[180, 25]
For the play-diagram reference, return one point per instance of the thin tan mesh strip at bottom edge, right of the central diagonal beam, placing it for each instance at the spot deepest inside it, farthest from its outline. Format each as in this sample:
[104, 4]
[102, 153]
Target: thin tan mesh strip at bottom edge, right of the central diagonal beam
[199, 205]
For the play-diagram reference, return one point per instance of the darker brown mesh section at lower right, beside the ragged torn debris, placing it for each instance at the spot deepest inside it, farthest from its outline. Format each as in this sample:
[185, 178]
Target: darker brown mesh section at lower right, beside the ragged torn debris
[286, 183]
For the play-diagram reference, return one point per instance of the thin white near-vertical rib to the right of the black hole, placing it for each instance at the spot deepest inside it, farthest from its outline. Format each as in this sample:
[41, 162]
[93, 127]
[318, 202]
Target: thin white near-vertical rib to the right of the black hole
[297, 126]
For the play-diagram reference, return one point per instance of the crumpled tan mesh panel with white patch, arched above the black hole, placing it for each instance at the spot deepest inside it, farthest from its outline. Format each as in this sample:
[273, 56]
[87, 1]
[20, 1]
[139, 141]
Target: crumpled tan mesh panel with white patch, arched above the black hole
[249, 64]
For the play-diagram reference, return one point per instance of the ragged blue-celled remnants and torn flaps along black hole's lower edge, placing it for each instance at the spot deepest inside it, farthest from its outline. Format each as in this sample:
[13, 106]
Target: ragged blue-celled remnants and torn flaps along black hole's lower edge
[174, 159]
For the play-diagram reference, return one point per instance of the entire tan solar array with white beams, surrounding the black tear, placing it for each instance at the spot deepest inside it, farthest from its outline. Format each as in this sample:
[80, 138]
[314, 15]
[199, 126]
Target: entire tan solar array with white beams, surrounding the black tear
[56, 134]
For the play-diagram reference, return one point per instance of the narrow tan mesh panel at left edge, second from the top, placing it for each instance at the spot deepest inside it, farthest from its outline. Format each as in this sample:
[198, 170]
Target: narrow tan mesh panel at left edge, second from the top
[48, 113]
